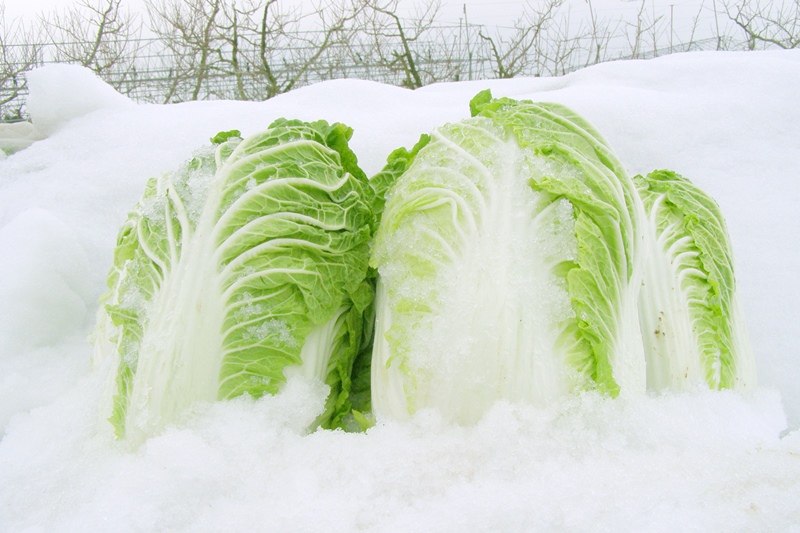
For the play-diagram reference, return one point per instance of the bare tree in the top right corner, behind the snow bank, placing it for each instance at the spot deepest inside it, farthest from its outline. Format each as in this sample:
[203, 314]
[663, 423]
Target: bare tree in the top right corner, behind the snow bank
[773, 23]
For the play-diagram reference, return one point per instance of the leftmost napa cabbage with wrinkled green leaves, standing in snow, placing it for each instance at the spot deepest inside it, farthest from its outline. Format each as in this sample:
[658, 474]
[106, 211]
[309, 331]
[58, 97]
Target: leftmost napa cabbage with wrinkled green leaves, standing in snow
[246, 266]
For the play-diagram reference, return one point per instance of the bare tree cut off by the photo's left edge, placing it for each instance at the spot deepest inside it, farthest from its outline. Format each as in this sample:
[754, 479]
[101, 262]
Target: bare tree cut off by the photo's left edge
[18, 54]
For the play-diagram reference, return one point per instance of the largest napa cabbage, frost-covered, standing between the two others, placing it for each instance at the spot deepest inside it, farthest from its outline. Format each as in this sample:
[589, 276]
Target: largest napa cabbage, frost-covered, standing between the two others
[510, 258]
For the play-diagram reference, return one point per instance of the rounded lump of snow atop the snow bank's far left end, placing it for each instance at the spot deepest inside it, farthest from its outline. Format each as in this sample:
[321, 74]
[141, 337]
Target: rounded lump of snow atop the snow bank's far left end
[60, 93]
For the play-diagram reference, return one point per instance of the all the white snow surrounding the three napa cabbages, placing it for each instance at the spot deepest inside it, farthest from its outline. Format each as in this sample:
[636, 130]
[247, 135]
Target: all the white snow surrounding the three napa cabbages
[696, 461]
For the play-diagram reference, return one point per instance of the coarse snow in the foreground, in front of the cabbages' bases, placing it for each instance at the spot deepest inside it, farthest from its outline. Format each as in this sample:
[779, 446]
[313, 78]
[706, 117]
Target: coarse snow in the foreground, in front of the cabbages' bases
[693, 462]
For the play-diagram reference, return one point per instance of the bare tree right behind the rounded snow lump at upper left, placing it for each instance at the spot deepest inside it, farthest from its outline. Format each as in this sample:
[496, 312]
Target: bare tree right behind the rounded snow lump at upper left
[100, 35]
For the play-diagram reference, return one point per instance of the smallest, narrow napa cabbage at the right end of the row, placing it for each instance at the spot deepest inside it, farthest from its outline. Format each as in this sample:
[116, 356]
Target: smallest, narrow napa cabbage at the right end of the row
[692, 320]
